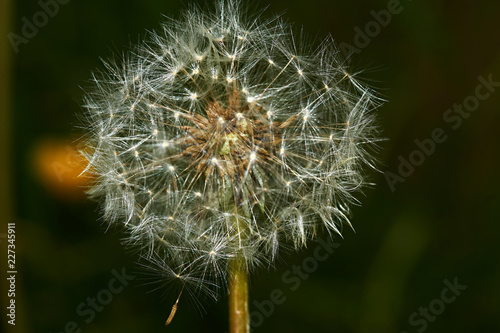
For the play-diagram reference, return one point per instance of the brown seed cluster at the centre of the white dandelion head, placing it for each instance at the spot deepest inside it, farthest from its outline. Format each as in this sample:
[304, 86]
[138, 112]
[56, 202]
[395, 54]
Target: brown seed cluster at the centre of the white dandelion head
[229, 141]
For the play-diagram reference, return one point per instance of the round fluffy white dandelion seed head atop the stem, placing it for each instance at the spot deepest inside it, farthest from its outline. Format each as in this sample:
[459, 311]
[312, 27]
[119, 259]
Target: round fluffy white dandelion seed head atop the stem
[232, 138]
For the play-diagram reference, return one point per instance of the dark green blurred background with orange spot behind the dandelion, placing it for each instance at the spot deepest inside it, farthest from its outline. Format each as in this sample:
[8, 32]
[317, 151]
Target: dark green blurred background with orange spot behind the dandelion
[440, 223]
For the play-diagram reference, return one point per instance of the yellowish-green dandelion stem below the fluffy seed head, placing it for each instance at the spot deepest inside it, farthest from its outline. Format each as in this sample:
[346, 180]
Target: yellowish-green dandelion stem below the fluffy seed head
[238, 296]
